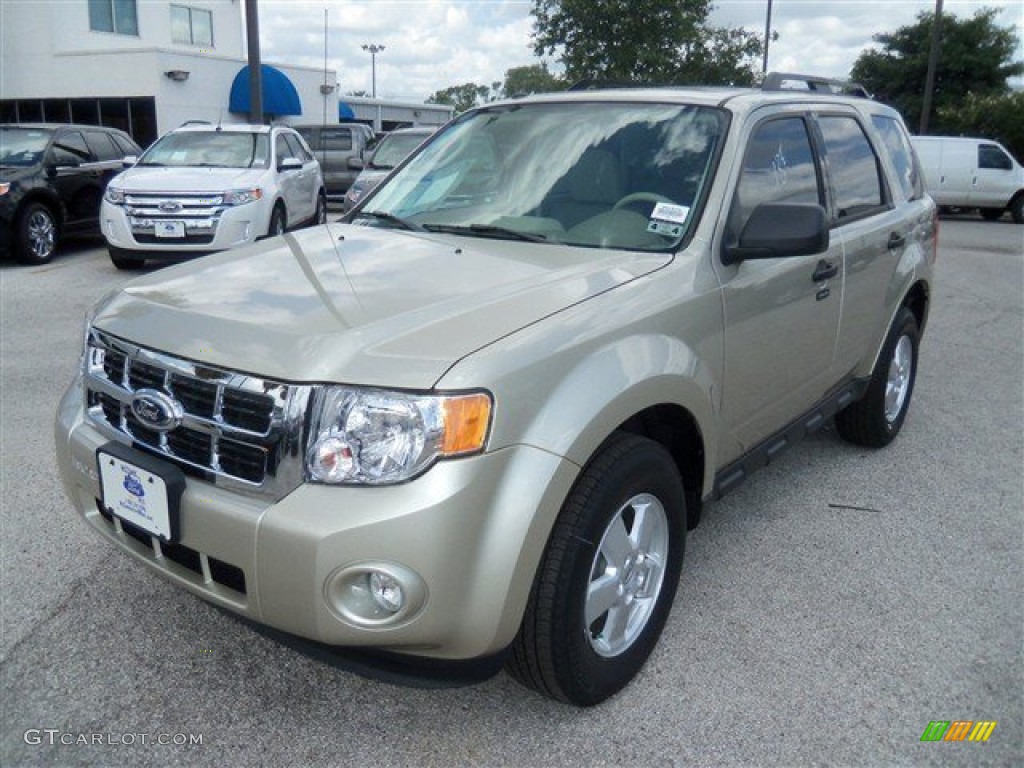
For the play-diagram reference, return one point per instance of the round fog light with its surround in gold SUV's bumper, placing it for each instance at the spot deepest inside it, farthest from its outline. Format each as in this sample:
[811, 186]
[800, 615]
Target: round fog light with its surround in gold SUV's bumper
[375, 595]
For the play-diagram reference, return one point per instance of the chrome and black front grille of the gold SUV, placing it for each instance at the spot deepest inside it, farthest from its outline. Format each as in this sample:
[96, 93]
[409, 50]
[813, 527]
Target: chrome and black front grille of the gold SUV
[235, 430]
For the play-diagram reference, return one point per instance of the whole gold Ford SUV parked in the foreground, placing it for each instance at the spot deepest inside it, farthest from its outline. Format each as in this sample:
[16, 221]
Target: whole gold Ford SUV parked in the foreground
[473, 421]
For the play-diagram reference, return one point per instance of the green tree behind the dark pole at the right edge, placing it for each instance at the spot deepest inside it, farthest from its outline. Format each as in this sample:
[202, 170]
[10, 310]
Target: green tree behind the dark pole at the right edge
[976, 58]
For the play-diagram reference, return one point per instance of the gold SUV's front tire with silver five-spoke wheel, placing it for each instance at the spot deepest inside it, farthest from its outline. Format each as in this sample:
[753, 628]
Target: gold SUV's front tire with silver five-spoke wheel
[609, 576]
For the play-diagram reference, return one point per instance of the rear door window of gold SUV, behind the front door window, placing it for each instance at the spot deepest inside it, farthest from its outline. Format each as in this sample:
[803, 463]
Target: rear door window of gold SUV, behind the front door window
[854, 168]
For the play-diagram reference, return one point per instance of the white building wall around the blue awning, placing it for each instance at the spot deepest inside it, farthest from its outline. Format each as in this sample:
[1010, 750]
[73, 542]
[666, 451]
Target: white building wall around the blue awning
[49, 52]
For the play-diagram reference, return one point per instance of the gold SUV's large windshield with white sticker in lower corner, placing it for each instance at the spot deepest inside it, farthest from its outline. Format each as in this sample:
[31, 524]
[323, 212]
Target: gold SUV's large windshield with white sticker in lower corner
[607, 176]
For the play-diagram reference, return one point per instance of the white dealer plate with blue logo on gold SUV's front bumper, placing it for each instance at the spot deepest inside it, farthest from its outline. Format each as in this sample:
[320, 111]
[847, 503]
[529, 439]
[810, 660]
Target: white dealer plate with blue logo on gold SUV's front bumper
[136, 495]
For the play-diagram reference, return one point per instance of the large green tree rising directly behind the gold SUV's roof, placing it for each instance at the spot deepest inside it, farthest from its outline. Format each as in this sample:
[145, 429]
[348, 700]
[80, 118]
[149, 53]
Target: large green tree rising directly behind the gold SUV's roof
[644, 41]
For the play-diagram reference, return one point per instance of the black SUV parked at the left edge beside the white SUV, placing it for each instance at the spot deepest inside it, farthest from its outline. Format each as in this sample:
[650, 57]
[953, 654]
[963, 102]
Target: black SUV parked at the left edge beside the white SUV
[52, 184]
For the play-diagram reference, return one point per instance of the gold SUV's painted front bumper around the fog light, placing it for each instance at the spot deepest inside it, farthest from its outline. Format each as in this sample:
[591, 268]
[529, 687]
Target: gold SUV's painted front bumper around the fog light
[473, 531]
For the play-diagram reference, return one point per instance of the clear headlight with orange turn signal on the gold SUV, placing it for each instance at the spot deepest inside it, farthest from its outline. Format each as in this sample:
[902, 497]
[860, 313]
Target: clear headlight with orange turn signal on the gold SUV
[376, 438]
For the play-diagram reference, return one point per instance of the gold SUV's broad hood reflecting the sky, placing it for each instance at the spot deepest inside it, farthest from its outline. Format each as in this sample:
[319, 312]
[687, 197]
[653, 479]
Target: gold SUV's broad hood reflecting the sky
[360, 306]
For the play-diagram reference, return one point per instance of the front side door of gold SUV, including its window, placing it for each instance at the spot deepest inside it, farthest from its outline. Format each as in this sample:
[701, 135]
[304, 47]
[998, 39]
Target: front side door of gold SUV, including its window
[782, 316]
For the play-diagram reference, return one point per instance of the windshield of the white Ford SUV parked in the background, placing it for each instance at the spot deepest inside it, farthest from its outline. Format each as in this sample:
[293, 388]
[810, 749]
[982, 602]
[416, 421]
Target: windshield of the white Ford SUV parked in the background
[210, 150]
